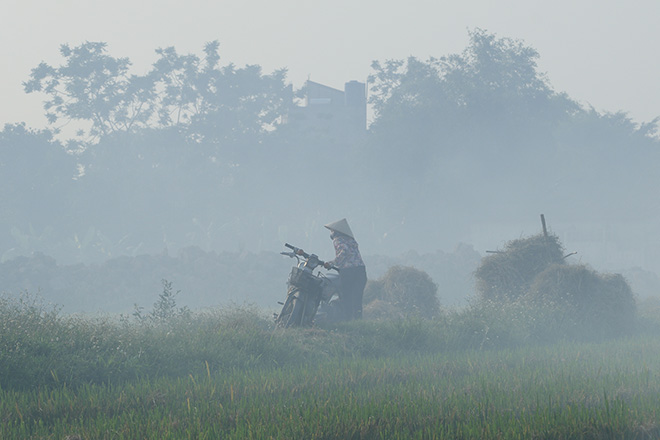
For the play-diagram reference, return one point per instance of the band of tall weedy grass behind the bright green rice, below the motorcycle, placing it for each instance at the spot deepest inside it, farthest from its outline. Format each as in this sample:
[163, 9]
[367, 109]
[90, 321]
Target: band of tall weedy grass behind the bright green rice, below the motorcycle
[41, 347]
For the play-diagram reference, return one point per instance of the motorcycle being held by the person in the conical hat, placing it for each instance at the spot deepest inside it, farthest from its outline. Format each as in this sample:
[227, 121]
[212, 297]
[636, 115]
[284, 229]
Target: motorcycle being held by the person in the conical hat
[307, 291]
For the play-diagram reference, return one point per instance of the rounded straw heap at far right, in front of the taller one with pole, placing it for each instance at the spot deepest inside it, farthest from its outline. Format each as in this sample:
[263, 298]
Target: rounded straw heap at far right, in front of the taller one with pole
[584, 303]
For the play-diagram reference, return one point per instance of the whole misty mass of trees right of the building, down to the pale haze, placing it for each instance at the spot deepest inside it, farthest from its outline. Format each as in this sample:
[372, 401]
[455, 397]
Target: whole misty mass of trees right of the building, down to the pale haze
[486, 125]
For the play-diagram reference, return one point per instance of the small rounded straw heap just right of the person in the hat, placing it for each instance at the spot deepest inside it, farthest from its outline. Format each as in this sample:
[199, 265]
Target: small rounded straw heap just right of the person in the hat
[402, 292]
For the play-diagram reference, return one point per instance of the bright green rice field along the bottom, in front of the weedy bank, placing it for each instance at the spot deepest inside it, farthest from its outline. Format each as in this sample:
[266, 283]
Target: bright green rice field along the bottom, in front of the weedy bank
[580, 391]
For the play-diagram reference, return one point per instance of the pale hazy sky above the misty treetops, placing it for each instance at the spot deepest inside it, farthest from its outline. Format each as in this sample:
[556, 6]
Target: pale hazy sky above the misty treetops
[601, 52]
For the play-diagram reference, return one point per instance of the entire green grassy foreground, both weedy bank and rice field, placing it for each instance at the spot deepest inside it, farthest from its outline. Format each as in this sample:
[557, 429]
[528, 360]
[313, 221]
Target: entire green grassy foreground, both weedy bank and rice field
[229, 375]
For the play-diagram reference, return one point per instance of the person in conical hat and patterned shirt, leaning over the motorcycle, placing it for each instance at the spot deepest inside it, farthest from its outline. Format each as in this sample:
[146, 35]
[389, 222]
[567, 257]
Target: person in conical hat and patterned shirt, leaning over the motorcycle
[352, 271]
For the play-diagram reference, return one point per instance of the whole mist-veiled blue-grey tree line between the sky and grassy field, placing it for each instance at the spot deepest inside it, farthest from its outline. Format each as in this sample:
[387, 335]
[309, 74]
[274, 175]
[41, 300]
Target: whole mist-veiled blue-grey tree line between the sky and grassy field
[197, 171]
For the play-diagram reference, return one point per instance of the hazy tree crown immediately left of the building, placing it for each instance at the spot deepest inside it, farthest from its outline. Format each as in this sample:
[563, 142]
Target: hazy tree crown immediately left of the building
[218, 104]
